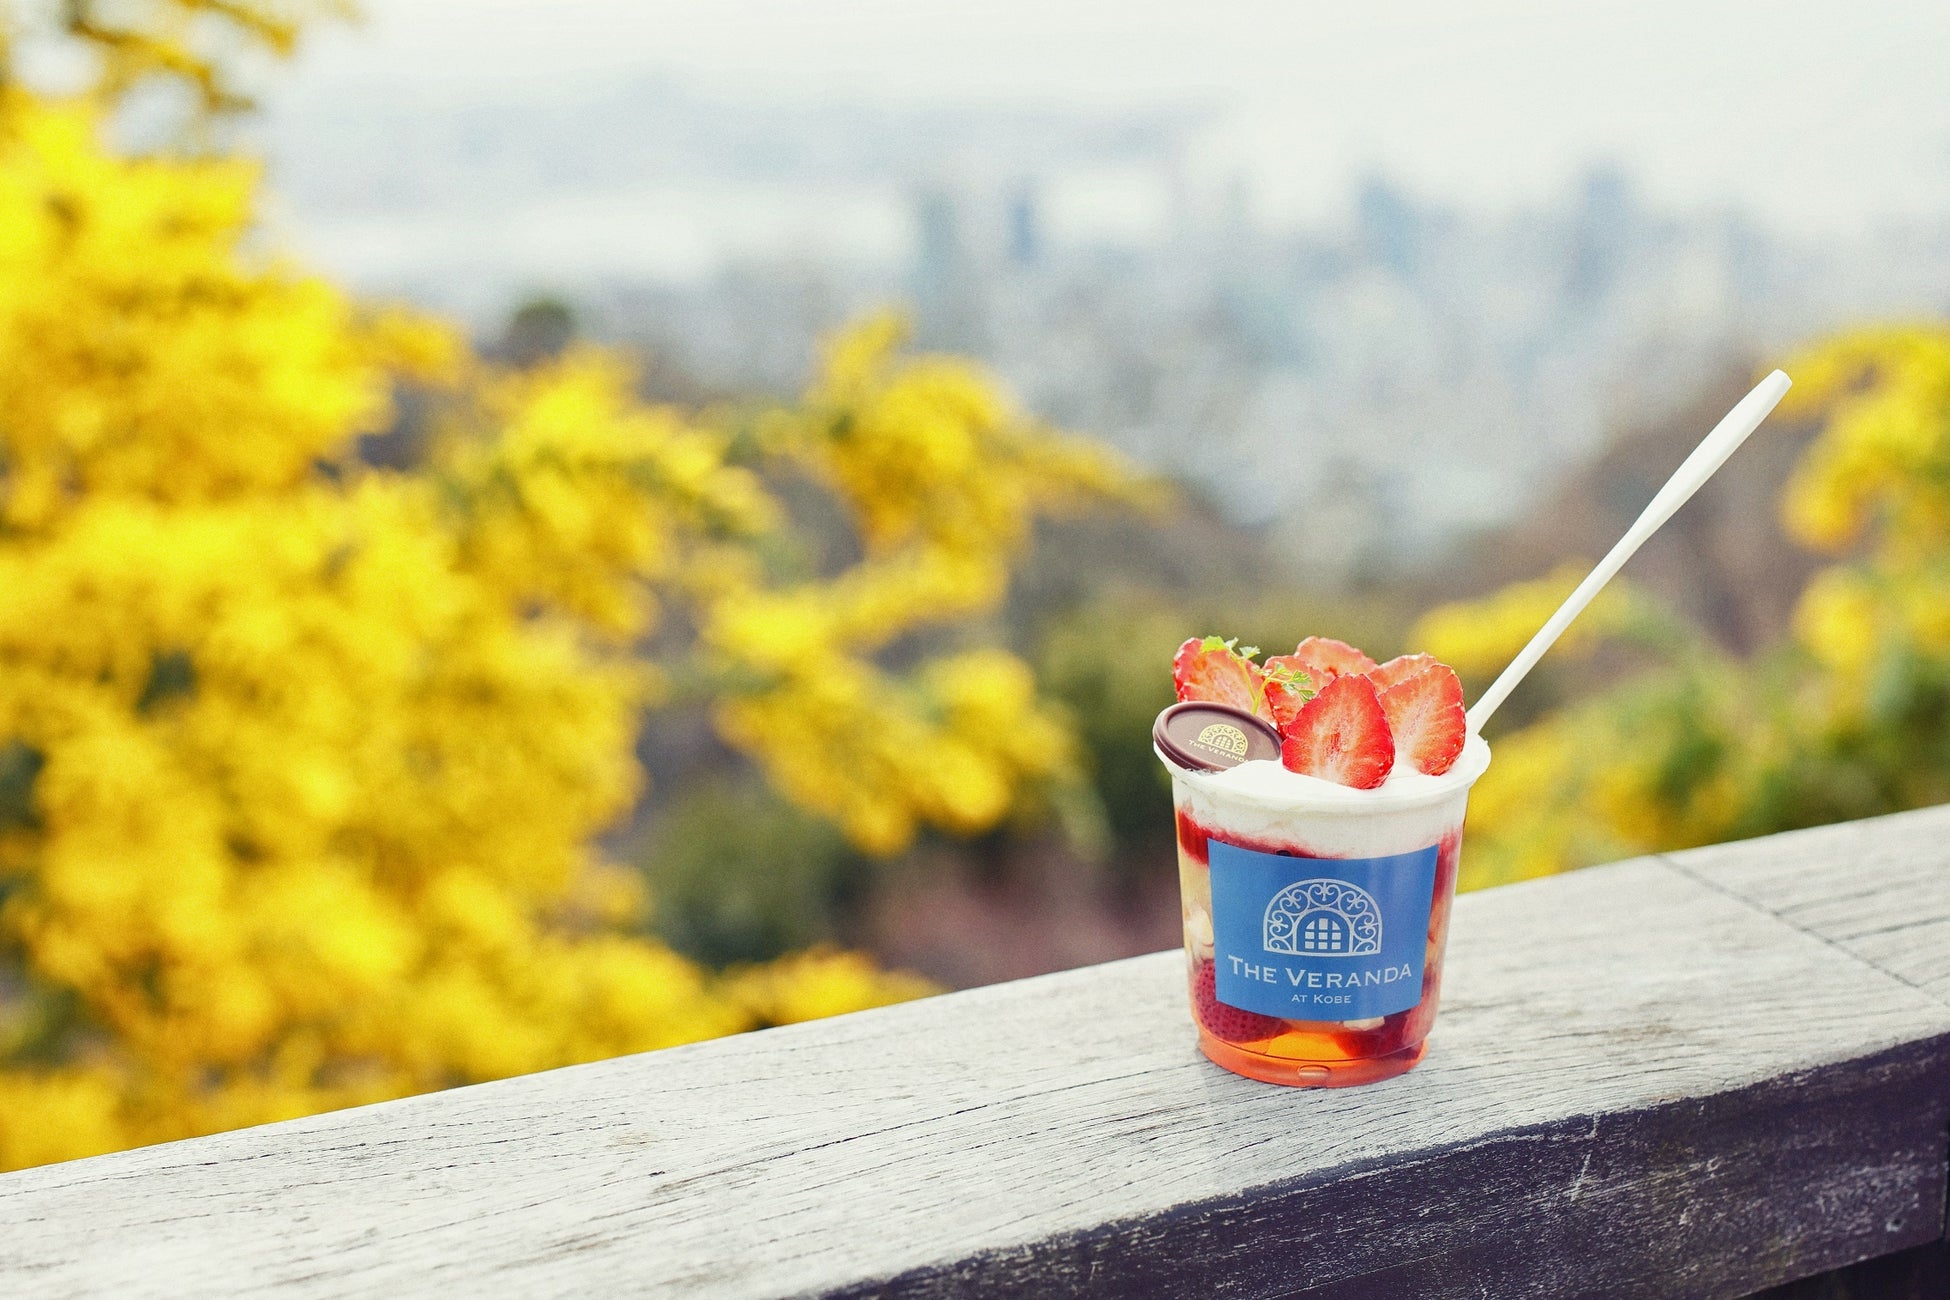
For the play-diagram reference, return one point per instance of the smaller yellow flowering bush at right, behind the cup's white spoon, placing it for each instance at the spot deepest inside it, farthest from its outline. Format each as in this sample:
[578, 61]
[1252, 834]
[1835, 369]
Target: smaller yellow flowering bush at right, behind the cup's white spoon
[1850, 718]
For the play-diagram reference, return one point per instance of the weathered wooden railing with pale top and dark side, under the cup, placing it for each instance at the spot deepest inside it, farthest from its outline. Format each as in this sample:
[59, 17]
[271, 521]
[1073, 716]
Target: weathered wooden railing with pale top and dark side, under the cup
[1657, 1079]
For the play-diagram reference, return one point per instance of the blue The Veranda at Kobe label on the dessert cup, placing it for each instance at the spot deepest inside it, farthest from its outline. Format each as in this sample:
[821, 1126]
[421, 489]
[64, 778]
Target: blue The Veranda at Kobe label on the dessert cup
[1321, 938]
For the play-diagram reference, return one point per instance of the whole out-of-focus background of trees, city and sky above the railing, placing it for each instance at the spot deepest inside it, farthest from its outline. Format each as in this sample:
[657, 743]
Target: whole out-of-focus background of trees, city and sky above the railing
[547, 529]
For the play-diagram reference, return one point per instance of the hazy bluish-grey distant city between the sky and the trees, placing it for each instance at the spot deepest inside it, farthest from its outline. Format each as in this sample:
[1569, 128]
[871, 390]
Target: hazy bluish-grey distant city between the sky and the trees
[1370, 389]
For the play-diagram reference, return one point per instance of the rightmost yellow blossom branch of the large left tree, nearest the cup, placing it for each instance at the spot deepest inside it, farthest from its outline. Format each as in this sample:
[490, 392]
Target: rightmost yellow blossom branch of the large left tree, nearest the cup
[945, 482]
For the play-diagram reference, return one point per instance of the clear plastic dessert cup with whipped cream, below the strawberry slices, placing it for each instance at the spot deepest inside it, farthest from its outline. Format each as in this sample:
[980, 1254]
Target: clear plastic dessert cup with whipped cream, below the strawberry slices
[1315, 917]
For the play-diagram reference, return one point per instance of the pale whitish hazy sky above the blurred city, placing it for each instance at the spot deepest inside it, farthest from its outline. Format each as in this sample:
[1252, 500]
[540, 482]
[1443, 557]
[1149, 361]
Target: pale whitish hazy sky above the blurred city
[1816, 114]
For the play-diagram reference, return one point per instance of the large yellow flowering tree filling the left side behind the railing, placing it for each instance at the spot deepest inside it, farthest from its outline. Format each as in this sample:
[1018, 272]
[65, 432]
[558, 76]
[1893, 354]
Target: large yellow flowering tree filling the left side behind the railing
[303, 761]
